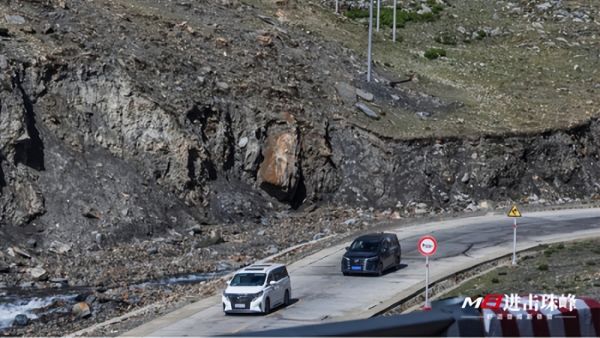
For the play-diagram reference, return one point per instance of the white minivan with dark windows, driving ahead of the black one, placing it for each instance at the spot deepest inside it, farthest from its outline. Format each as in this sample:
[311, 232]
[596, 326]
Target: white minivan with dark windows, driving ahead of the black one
[257, 288]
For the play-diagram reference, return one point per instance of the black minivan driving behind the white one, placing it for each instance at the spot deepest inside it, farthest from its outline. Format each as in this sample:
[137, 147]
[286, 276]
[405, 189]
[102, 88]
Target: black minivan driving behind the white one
[372, 254]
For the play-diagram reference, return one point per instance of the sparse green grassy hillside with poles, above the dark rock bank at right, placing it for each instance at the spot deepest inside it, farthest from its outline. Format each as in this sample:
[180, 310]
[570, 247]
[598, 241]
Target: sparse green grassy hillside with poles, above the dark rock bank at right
[510, 67]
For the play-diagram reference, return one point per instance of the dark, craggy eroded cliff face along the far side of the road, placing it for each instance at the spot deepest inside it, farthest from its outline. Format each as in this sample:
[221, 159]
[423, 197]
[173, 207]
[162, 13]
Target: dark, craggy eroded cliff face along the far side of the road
[214, 125]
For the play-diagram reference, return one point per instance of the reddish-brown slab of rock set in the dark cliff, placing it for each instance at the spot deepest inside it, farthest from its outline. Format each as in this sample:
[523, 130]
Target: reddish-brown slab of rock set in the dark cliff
[279, 171]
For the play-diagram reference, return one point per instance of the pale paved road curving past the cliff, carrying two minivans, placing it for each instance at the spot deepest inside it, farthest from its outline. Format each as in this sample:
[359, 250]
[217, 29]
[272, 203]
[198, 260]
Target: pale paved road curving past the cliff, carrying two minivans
[324, 294]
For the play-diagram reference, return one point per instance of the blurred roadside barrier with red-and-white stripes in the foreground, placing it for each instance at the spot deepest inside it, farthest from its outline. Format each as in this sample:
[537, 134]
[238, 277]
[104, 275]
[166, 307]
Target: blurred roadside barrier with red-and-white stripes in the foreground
[449, 318]
